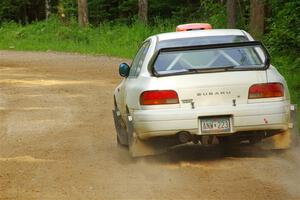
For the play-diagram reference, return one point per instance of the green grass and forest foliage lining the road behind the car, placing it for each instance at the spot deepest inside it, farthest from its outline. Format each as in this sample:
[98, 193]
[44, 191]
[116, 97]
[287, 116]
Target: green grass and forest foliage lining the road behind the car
[115, 29]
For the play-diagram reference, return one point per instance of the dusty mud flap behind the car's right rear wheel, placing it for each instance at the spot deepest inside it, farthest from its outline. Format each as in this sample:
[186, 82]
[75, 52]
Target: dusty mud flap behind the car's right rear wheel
[288, 138]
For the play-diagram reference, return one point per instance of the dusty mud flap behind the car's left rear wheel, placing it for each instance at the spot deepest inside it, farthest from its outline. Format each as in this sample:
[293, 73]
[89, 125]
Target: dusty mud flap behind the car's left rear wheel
[153, 146]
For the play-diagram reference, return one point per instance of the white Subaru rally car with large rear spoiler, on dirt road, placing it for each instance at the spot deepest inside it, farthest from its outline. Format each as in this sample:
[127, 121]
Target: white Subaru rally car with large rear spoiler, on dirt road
[205, 86]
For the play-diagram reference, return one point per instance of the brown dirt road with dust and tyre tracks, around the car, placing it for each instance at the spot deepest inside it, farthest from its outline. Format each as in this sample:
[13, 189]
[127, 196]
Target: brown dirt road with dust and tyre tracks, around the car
[57, 141]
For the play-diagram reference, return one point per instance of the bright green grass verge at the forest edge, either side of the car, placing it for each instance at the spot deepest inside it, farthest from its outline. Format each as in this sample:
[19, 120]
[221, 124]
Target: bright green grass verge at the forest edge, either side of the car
[119, 40]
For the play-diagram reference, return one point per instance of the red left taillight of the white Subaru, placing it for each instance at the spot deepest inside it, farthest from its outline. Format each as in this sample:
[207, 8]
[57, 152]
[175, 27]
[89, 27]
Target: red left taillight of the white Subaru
[159, 97]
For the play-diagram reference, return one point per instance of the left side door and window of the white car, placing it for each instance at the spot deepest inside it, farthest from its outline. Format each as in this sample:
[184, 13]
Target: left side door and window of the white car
[135, 69]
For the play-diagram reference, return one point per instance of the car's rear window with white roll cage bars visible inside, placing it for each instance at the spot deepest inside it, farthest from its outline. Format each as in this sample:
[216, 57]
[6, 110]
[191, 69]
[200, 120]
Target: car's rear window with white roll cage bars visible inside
[193, 60]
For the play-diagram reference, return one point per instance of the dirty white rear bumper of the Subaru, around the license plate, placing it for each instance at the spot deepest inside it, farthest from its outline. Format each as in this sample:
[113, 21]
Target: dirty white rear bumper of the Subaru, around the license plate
[247, 117]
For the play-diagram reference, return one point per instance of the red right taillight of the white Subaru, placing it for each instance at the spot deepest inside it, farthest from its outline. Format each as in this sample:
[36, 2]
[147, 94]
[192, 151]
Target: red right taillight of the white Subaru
[266, 90]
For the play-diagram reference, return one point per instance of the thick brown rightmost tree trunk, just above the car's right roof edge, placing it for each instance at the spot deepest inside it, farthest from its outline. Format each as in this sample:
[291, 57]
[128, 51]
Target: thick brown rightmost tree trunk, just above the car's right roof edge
[257, 18]
